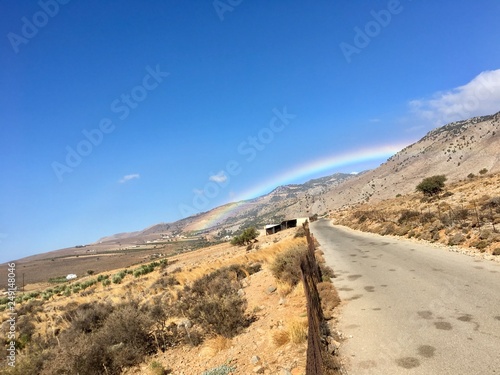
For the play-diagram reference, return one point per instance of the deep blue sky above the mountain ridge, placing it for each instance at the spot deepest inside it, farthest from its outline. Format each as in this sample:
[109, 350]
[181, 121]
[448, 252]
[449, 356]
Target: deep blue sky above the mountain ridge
[121, 114]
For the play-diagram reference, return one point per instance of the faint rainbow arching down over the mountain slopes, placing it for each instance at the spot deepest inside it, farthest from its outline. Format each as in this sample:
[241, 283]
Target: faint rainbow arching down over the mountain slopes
[323, 165]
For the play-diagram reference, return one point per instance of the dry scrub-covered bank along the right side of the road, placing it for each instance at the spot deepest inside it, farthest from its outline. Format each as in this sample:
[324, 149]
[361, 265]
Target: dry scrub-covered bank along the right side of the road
[466, 214]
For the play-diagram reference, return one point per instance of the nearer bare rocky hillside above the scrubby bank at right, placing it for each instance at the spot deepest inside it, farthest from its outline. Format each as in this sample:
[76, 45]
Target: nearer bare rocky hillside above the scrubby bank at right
[455, 150]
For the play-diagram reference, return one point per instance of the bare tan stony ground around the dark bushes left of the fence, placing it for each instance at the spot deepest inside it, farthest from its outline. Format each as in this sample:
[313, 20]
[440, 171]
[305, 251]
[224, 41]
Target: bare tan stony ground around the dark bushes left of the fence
[261, 348]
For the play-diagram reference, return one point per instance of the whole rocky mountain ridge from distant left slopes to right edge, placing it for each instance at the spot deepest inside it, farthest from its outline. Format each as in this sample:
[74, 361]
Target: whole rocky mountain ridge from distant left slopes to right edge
[455, 150]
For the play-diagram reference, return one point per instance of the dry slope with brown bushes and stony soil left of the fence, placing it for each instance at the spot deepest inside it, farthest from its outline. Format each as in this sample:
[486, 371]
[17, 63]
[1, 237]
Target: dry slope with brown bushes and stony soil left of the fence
[218, 310]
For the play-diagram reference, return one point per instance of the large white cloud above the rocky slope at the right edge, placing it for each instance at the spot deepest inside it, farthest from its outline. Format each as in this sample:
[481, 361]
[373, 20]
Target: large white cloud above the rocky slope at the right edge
[479, 97]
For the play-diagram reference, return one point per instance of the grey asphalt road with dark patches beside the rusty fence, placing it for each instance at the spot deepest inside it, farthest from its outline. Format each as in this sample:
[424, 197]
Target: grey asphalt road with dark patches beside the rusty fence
[410, 308]
